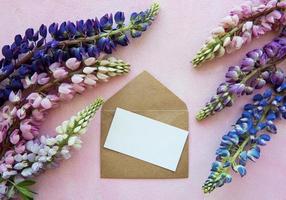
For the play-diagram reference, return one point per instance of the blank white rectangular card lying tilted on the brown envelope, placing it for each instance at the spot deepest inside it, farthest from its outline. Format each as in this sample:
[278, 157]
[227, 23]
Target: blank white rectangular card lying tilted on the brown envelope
[146, 139]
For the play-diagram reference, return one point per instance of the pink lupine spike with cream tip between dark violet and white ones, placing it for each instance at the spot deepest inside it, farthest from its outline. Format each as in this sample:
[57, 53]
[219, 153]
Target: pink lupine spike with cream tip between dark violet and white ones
[21, 121]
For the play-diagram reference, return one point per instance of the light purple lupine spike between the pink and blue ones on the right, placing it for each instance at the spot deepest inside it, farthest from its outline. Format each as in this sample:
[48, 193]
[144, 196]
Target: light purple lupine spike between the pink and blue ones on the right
[255, 70]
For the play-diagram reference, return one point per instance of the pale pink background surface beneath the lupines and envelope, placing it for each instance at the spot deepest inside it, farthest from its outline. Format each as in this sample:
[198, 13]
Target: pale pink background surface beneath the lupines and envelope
[165, 51]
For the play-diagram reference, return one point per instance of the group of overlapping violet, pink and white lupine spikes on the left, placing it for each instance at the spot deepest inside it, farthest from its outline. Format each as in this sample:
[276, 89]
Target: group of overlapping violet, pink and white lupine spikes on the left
[44, 67]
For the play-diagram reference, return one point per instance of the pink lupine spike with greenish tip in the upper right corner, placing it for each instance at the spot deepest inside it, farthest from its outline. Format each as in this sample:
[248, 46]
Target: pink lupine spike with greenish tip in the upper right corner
[251, 20]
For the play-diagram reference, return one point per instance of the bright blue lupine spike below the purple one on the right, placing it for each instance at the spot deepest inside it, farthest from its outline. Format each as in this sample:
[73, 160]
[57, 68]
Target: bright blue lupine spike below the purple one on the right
[242, 143]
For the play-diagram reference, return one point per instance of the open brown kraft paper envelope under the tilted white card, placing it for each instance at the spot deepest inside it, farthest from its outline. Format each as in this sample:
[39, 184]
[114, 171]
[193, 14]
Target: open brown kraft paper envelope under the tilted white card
[148, 97]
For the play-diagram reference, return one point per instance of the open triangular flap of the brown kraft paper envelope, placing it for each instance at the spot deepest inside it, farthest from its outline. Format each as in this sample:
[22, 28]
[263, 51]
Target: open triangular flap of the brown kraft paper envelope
[145, 93]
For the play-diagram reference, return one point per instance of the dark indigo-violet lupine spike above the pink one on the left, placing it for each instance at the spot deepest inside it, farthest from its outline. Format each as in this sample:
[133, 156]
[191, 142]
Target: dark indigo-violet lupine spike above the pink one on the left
[81, 40]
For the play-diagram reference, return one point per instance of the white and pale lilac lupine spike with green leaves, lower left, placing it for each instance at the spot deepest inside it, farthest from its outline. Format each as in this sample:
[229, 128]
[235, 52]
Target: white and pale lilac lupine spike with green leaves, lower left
[42, 153]
